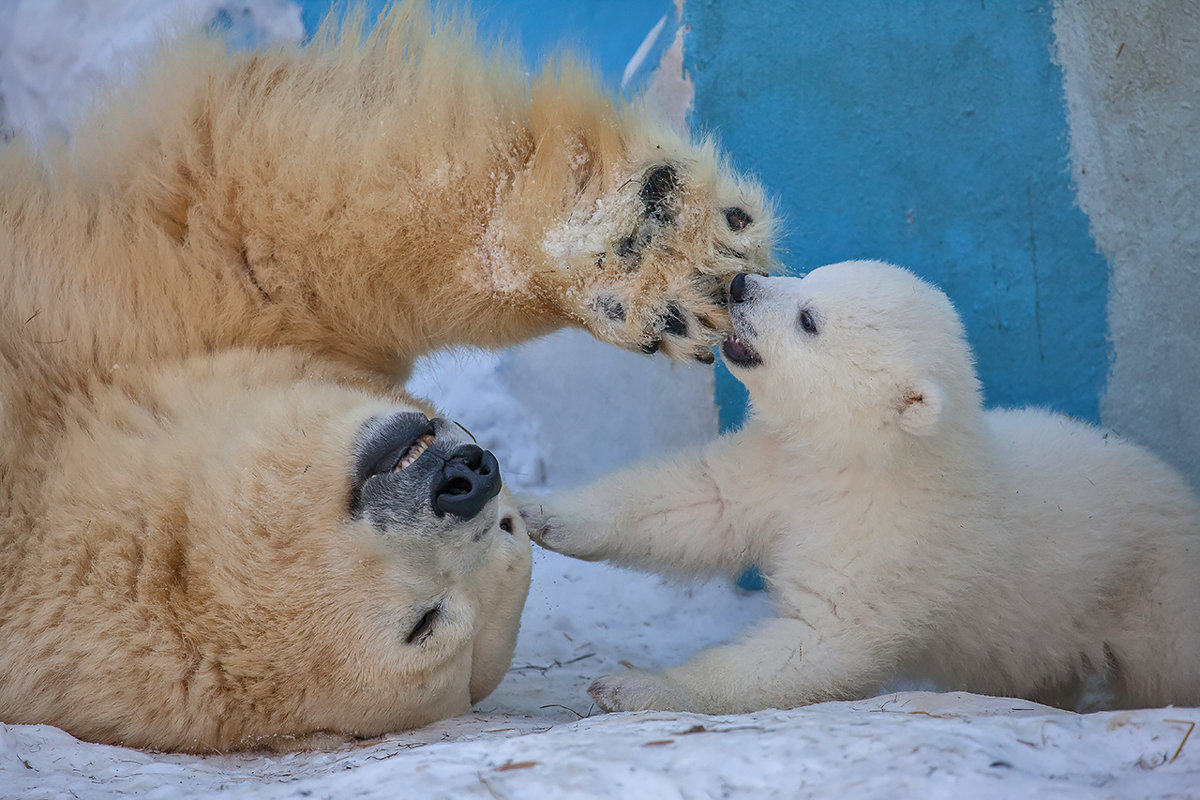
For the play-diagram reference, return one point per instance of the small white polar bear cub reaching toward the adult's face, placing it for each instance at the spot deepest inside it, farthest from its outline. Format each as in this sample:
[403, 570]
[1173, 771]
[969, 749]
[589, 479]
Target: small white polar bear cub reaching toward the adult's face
[903, 530]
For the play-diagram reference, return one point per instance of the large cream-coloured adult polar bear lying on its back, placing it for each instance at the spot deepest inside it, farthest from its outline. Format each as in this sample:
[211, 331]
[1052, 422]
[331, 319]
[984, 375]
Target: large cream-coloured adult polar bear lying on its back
[220, 524]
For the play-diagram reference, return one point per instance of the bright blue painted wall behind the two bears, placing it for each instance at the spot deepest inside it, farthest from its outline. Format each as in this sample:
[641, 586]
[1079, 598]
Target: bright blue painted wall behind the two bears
[928, 134]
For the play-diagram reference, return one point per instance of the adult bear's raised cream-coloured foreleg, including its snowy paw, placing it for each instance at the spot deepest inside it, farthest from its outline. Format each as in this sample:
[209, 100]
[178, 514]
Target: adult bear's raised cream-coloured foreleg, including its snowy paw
[370, 199]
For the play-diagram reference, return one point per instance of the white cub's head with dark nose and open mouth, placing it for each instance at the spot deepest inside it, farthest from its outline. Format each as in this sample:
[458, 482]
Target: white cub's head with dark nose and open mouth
[854, 350]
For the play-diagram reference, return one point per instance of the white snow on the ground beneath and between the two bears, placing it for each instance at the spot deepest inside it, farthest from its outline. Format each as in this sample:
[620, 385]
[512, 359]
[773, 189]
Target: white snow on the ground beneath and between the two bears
[538, 736]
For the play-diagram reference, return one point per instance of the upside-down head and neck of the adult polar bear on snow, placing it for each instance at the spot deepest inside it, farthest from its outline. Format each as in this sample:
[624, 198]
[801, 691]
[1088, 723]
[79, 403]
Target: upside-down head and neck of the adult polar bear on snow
[251, 550]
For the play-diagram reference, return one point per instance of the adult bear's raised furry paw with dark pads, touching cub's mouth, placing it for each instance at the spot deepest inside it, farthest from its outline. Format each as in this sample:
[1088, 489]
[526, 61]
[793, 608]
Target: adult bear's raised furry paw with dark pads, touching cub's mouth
[649, 267]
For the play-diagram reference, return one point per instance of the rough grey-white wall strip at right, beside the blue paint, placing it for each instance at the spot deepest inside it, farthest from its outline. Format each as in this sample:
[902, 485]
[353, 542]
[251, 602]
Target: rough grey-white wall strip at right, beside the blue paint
[1133, 87]
